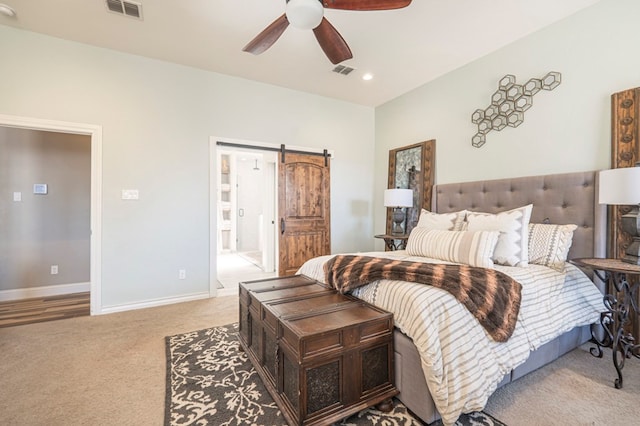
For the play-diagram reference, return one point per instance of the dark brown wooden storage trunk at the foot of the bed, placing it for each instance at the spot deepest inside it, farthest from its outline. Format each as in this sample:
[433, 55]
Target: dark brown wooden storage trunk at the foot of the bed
[322, 355]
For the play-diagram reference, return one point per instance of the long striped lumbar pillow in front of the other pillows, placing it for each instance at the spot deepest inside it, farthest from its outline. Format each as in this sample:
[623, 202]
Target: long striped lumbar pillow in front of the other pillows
[470, 248]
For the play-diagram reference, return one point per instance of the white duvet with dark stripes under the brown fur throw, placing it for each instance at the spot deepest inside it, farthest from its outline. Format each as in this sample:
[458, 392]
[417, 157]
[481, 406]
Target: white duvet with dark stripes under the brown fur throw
[461, 363]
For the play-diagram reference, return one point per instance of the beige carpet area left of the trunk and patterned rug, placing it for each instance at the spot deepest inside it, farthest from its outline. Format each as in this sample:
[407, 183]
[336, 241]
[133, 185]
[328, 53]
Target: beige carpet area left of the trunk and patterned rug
[101, 370]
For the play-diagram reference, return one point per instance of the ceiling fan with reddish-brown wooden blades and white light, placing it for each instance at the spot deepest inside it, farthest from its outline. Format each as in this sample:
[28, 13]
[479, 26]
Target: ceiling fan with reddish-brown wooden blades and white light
[309, 14]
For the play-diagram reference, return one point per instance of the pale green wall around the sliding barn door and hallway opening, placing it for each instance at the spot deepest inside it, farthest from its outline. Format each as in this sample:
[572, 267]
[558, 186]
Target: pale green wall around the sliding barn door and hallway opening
[157, 119]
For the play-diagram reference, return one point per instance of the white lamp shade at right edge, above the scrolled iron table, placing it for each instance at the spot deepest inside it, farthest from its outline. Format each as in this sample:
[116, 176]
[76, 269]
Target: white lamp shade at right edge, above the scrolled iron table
[620, 186]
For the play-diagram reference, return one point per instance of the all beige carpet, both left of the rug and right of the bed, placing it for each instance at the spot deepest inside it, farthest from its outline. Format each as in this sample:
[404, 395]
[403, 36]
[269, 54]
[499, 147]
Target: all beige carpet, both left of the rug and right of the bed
[110, 370]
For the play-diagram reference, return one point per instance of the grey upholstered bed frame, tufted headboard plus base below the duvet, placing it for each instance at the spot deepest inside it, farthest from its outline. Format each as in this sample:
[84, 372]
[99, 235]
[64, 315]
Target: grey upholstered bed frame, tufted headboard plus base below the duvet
[556, 198]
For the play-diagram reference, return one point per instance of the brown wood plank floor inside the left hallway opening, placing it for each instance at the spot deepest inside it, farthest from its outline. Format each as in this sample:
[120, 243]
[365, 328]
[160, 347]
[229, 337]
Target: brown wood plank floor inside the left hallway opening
[40, 309]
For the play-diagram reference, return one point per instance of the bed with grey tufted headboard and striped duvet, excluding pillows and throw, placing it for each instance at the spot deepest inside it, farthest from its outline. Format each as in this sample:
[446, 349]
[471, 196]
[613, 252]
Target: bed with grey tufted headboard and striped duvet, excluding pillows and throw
[450, 368]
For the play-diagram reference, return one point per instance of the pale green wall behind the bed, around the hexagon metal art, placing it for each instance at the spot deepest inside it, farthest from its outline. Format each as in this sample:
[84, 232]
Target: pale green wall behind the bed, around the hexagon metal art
[567, 129]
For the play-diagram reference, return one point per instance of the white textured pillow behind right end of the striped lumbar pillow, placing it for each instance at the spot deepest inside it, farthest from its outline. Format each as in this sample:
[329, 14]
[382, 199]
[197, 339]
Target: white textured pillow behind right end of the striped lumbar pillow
[513, 244]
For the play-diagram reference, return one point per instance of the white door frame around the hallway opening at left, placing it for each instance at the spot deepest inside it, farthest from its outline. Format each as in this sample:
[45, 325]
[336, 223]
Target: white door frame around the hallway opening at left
[95, 133]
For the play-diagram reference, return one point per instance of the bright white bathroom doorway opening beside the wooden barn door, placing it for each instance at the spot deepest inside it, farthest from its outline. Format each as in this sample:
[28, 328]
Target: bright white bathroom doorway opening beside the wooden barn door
[245, 211]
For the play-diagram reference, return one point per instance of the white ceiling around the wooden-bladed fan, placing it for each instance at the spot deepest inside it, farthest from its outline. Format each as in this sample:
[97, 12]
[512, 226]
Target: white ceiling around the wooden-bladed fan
[403, 48]
